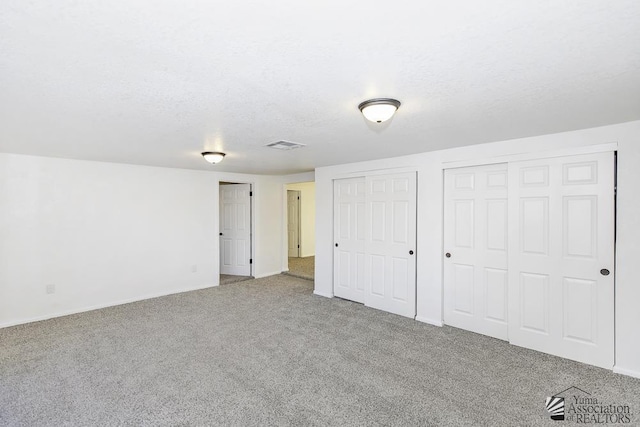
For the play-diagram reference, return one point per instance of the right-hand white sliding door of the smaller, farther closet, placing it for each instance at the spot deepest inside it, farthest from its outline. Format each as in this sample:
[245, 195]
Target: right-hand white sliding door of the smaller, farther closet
[390, 259]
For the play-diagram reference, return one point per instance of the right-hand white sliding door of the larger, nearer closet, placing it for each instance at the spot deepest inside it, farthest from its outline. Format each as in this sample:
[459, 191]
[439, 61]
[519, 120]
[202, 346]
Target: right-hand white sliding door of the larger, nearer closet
[561, 259]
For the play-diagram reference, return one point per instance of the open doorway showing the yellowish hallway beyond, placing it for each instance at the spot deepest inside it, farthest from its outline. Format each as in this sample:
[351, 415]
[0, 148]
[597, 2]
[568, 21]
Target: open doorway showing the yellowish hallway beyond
[301, 233]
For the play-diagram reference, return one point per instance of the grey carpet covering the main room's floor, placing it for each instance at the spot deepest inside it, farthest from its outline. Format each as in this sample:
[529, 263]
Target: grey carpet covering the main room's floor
[269, 352]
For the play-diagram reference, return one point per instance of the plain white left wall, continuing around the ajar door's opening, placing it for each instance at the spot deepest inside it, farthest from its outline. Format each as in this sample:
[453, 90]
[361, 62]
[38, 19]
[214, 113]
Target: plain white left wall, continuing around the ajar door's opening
[107, 233]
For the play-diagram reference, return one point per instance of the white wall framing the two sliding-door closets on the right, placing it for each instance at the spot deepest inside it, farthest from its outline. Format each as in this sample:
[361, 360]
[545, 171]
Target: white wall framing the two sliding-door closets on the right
[430, 168]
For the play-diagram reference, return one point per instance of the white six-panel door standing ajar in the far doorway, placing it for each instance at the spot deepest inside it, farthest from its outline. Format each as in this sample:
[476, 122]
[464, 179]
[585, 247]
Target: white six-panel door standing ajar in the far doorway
[235, 229]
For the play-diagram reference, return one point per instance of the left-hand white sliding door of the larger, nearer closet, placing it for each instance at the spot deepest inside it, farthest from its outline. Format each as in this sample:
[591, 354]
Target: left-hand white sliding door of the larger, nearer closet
[475, 242]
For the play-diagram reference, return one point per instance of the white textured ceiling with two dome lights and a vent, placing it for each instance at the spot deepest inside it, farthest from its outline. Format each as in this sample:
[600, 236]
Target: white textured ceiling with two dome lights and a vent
[157, 82]
